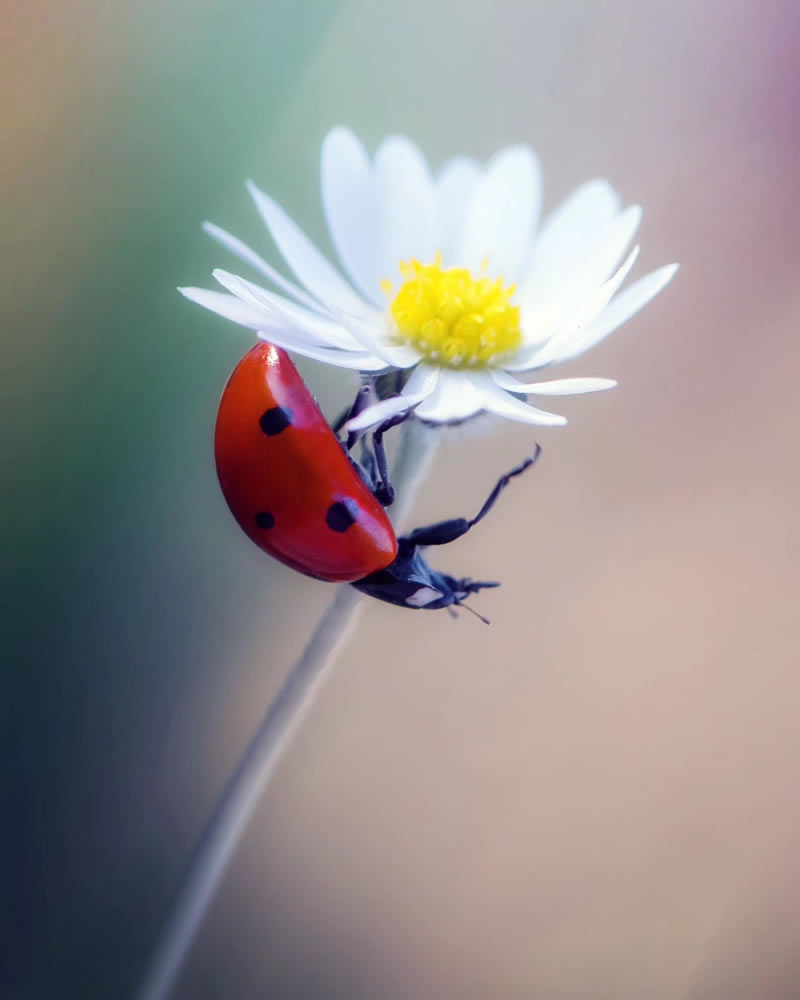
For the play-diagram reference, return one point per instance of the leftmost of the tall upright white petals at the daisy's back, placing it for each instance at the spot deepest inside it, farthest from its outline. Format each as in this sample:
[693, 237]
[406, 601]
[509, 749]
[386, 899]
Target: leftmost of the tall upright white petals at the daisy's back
[350, 202]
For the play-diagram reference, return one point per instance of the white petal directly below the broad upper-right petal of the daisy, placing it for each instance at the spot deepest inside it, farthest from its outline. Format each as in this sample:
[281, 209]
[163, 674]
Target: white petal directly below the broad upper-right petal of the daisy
[545, 307]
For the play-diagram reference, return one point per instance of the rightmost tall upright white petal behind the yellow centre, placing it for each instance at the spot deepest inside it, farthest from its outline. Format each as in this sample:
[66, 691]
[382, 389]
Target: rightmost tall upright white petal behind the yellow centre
[502, 213]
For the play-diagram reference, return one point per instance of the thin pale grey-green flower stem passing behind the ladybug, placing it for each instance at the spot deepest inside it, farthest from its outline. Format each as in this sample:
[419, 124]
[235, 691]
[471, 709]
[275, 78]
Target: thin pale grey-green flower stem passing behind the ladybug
[241, 795]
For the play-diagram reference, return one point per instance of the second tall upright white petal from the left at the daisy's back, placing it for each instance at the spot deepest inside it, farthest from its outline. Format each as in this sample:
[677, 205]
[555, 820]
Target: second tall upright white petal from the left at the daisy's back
[406, 205]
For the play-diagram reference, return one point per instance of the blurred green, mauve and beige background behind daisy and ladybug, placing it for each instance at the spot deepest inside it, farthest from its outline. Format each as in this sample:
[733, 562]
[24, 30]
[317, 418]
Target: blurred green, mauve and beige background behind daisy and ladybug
[597, 797]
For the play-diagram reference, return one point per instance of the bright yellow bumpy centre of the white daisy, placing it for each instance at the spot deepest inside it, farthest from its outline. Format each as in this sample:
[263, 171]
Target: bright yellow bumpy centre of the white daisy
[453, 318]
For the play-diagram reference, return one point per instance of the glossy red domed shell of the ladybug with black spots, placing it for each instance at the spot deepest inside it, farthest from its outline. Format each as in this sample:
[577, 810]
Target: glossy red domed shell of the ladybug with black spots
[289, 479]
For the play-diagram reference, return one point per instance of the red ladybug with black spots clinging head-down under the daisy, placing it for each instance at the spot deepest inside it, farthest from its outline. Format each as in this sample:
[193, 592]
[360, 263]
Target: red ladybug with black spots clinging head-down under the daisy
[298, 493]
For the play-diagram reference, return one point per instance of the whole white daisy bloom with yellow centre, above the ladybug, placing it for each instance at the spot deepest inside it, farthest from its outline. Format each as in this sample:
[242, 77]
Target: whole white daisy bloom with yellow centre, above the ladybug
[449, 276]
